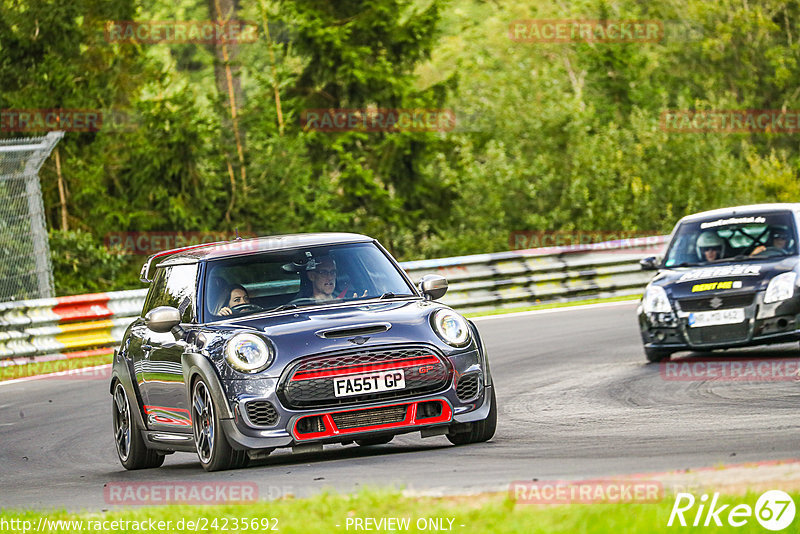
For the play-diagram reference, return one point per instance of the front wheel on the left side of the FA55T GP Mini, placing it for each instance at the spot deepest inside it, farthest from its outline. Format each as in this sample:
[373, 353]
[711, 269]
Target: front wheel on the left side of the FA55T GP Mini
[213, 449]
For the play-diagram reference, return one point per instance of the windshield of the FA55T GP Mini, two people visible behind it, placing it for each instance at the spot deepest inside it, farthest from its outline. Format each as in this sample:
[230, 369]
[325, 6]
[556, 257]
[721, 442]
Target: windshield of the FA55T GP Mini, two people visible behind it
[305, 277]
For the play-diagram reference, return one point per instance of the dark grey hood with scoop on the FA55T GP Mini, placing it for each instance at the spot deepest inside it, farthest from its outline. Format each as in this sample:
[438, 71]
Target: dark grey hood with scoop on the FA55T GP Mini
[298, 333]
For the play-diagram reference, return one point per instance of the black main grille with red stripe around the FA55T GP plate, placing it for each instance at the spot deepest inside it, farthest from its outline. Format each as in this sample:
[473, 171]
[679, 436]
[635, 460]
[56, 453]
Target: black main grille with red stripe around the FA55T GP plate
[311, 382]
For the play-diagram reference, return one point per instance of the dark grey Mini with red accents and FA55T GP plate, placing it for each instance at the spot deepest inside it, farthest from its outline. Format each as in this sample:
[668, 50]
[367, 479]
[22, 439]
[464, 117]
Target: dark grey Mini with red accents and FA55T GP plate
[292, 341]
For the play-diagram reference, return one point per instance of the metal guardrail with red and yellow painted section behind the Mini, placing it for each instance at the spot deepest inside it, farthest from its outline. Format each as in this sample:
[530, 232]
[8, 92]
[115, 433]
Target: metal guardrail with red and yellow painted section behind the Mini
[85, 325]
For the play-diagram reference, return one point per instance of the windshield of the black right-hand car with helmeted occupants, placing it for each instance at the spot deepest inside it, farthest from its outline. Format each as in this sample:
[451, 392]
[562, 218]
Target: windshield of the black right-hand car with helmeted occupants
[734, 238]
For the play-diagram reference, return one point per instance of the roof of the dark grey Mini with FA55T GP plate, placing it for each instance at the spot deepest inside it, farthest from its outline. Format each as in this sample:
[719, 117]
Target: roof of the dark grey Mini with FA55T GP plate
[242, 247]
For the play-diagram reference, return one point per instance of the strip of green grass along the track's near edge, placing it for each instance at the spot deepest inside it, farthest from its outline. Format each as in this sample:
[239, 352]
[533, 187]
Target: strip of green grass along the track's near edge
[330, 513]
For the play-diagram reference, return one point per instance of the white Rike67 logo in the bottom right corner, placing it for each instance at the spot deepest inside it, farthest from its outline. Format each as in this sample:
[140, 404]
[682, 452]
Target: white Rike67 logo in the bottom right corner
[774, 510]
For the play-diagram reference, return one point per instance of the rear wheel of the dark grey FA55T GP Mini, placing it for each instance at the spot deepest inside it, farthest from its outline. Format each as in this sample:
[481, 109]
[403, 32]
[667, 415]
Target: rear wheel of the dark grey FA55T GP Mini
[131, 450]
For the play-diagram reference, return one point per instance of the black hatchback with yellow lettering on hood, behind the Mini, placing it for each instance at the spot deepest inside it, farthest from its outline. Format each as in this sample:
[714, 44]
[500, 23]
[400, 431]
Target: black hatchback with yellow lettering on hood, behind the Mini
[729, 279]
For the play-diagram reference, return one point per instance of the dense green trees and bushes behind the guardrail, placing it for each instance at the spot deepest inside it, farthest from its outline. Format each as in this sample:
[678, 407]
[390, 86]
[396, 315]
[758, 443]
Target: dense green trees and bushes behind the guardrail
[549, 136]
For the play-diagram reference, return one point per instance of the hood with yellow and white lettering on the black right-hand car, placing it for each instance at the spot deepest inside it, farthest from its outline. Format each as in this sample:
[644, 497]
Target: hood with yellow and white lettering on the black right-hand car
[733, 276]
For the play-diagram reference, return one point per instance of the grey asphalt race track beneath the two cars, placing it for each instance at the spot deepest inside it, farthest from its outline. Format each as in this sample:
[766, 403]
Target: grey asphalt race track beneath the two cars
[577, 400]
